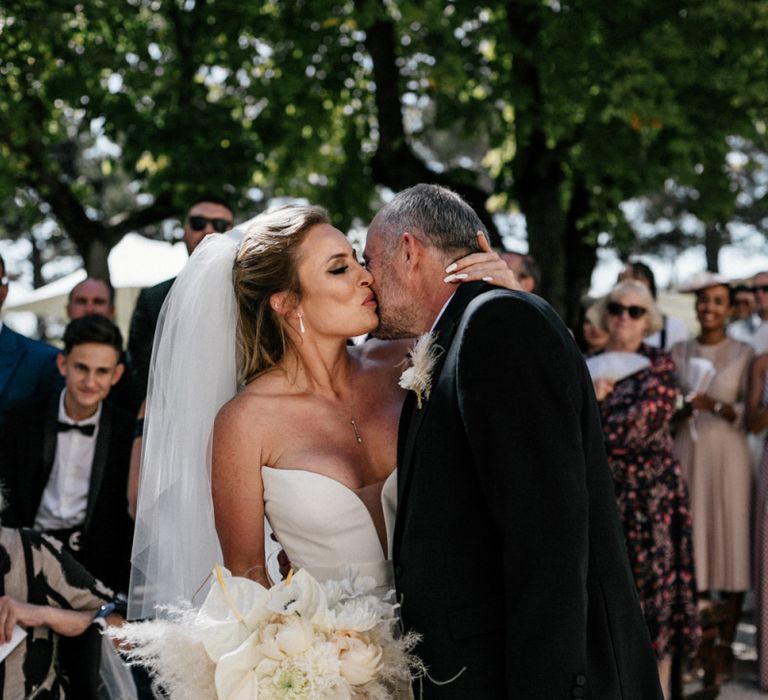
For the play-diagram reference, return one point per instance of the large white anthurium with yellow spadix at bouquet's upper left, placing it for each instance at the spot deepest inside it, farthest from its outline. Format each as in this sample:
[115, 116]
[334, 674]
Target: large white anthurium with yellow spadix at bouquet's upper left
[232, 610]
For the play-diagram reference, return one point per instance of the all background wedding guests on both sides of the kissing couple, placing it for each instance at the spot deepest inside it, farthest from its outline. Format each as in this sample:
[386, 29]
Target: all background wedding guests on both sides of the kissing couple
[675, 434]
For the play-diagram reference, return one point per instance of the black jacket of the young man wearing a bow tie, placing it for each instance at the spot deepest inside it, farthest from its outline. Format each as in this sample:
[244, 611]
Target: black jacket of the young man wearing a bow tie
[27, 450]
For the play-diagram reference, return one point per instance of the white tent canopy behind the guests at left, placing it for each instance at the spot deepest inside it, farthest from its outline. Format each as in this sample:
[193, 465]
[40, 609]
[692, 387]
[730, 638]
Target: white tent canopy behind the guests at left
[134, 263]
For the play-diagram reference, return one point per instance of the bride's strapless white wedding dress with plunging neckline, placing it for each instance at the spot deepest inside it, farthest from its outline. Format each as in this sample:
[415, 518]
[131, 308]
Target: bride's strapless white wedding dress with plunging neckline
[324, 526]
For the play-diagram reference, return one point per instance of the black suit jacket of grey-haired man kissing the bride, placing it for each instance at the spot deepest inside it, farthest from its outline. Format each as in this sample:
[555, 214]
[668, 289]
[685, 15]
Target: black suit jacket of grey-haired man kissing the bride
[508, 550]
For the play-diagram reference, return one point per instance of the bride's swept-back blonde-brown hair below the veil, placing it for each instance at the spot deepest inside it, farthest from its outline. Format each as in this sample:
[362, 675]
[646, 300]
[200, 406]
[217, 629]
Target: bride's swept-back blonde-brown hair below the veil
[266, 263]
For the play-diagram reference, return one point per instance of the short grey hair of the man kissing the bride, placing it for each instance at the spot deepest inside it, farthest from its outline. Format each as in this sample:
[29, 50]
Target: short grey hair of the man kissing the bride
[439, 214]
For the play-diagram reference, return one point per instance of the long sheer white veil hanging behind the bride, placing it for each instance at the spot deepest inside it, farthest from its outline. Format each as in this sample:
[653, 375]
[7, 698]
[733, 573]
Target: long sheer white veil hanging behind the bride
[192, 374]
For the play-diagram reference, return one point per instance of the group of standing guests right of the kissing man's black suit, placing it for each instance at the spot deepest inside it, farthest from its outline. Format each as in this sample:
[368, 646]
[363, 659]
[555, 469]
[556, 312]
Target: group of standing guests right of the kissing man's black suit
[692, 493]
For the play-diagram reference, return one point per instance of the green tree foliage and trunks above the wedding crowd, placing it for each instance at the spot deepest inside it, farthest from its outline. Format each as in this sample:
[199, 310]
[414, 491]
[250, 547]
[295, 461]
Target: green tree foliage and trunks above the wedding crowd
[561, 109]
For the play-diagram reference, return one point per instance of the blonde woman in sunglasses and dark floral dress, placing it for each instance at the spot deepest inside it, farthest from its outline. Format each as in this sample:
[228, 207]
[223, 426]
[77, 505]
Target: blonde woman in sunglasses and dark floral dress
[651, 494]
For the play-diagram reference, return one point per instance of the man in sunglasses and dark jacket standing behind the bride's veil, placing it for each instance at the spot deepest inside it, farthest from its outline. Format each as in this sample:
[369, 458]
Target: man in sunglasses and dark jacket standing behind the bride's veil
[206, 216]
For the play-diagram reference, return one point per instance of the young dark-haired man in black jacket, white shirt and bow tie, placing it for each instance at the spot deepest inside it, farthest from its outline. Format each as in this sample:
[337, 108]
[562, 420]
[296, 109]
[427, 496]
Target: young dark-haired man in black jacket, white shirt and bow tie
[65, 458]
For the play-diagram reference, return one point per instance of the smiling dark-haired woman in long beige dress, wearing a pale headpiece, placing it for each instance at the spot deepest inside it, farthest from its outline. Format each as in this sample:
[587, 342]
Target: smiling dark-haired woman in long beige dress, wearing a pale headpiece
[716, 461]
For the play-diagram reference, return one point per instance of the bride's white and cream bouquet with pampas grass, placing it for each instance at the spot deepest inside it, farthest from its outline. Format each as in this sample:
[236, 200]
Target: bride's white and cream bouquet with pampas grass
[298, 639]
